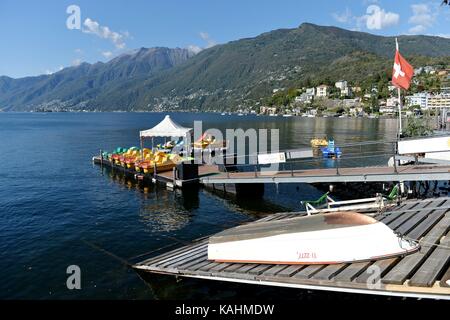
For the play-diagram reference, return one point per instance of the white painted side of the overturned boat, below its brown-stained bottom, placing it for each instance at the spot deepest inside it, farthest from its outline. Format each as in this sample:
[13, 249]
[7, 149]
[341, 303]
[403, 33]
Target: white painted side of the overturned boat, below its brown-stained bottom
[338, 245]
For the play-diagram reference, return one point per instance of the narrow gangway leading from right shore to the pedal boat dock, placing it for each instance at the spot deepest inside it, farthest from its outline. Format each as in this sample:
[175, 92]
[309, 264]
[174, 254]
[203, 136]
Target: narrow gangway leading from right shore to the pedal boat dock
[422, 172]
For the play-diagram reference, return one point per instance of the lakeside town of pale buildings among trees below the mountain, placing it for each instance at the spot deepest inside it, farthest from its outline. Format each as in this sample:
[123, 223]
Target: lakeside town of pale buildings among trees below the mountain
[430, 91]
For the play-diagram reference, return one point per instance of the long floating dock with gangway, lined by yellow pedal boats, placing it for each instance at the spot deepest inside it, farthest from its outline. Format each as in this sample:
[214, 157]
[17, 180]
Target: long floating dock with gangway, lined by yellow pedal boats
[211, 175]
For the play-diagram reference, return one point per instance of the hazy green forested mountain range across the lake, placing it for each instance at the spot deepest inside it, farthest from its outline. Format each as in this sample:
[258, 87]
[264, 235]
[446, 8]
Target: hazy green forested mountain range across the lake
[222, 77]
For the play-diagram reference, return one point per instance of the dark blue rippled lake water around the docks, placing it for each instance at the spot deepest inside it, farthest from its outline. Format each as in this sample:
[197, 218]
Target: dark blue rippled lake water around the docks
[58, 209]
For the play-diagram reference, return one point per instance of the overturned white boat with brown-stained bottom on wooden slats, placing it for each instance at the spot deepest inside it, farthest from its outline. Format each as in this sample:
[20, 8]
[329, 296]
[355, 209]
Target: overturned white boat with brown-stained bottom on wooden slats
[318, 239]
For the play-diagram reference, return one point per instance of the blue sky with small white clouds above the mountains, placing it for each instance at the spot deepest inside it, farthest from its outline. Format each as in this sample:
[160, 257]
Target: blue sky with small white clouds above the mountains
[36, 39]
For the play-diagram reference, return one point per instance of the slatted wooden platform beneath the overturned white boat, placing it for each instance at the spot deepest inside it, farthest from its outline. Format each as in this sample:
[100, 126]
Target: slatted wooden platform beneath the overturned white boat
[424, 274]
